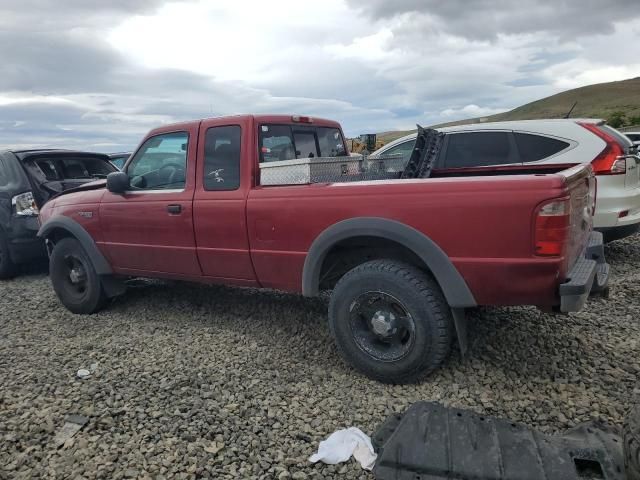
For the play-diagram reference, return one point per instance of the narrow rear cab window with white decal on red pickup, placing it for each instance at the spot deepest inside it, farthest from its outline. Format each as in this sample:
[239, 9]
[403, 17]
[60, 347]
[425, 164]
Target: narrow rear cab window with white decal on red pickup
[222, 158]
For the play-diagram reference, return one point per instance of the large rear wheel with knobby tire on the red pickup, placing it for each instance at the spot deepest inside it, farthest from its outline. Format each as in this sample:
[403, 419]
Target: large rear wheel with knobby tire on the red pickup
[409, 322]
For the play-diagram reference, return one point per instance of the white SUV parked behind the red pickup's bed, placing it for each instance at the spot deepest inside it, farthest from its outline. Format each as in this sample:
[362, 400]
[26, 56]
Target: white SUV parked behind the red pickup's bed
[533, 145]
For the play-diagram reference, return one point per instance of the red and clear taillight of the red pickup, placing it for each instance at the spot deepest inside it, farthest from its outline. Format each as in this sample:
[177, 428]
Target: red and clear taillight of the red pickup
[552, 228]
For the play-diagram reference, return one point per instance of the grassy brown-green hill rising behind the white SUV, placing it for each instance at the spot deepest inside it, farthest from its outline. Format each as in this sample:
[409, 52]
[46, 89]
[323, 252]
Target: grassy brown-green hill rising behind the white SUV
[617, 102]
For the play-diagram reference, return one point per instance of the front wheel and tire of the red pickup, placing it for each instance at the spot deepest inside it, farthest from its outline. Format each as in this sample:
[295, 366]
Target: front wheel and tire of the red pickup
[74, 279]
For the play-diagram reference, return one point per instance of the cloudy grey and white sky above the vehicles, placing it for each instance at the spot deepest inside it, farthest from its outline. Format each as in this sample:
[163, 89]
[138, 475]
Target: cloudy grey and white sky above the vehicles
[98, 74]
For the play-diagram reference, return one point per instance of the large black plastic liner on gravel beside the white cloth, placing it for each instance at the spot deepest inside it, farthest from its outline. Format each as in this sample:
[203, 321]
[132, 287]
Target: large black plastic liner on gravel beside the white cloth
[432, 442]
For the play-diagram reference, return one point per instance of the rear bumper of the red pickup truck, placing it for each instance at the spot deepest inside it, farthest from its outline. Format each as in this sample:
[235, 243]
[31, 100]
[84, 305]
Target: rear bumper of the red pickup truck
[589, 276]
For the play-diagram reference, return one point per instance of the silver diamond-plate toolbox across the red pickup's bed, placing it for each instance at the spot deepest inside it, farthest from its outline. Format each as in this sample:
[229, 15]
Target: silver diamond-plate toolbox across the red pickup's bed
[358, 168]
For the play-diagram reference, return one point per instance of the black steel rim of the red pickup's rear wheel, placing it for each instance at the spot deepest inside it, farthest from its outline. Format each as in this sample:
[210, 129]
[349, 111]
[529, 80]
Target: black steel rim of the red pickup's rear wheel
[382, 326]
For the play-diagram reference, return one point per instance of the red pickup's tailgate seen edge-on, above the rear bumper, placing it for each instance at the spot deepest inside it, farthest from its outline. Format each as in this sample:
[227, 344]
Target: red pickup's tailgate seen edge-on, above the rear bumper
[581, 184]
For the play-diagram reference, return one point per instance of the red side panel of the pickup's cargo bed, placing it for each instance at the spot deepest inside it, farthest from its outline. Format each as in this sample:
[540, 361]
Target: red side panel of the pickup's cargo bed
[485, 226]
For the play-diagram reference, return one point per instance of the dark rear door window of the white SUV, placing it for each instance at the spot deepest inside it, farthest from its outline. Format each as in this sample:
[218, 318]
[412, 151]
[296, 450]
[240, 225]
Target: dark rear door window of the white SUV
[477, 149]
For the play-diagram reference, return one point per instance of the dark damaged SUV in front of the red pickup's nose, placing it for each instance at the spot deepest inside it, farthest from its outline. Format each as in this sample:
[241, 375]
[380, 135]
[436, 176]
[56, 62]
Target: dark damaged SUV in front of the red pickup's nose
[28, 178]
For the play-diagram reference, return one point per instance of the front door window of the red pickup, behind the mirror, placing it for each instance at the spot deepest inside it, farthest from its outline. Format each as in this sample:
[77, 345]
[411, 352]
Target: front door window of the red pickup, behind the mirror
[161, 163]
